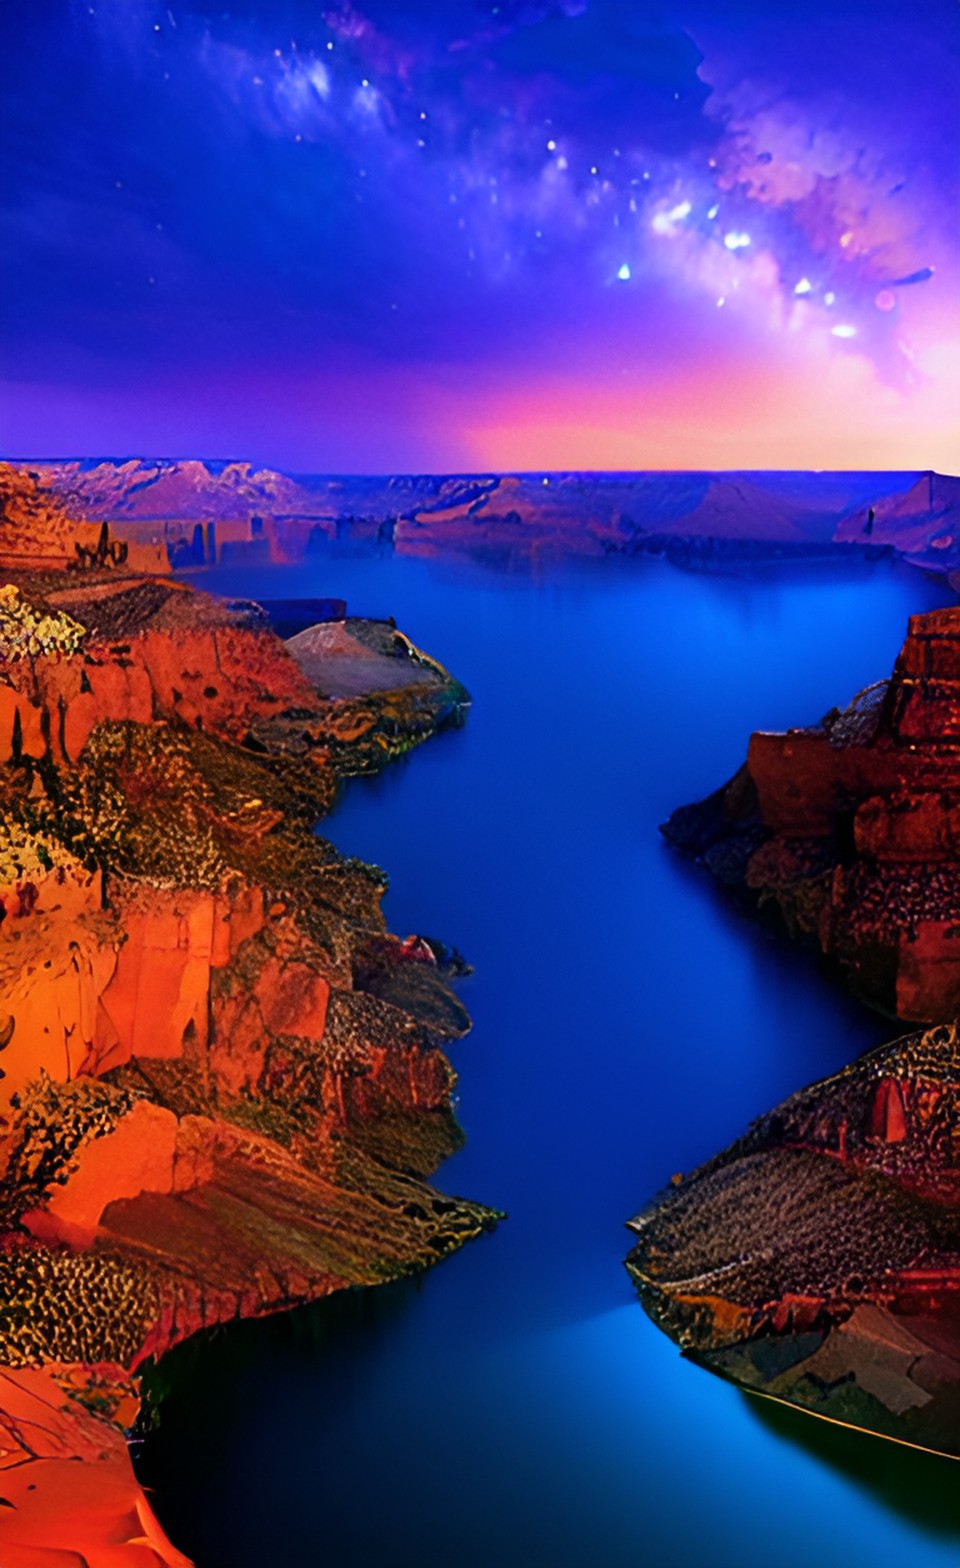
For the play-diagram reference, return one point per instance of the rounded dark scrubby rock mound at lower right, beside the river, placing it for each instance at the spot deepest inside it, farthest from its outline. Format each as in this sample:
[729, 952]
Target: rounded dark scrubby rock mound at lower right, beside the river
[818, 1260]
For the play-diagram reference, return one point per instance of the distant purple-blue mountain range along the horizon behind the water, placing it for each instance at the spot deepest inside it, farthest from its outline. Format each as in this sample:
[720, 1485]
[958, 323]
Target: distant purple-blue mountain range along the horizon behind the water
[211, 510]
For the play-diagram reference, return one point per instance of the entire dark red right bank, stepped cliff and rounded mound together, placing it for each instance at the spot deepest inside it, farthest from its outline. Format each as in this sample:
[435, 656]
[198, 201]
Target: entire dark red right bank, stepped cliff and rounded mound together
[818, 1260]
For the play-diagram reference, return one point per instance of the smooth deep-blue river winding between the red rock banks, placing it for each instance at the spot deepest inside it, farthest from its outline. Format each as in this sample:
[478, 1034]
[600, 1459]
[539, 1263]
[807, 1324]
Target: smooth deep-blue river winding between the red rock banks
[515, 1406]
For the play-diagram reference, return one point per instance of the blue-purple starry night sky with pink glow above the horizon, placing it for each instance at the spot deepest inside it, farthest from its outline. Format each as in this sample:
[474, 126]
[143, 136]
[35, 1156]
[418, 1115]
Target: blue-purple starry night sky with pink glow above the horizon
[423, 234]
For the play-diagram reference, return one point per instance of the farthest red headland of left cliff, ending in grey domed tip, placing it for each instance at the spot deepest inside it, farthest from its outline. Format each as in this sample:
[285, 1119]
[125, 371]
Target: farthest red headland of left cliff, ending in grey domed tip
[151, 650]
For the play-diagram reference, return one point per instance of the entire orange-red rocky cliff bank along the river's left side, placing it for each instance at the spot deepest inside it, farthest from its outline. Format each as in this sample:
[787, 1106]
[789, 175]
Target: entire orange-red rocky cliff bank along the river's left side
[222, 1081]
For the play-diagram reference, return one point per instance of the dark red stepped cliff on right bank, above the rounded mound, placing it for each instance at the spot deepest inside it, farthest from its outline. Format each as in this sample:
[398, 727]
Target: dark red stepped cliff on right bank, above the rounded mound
[849, 832]
